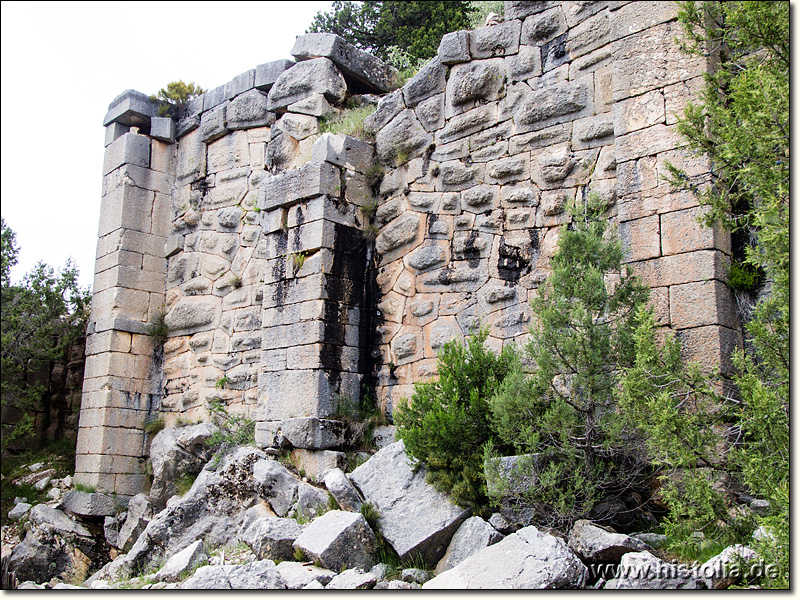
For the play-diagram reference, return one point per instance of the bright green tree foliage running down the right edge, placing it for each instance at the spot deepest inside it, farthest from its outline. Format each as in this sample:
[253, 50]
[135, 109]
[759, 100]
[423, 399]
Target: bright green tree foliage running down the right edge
[742, 123]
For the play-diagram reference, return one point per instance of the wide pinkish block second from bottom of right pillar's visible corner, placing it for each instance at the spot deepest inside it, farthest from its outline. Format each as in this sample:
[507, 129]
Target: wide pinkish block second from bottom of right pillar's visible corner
[702, 303]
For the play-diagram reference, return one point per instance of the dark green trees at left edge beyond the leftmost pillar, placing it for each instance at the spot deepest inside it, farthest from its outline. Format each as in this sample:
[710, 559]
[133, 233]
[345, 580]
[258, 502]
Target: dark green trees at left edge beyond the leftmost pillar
[41, 317]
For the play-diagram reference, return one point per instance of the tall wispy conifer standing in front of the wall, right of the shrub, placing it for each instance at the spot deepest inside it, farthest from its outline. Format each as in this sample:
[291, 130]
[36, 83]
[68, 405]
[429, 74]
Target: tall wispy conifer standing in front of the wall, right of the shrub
[565, 410]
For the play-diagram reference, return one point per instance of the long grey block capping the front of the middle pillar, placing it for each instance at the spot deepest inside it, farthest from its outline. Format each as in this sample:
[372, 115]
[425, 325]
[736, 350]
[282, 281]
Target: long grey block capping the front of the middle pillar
[312, 179]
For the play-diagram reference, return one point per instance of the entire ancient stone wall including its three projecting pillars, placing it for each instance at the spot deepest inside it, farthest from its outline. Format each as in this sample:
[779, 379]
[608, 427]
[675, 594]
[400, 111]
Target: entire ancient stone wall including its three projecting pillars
[293, 280]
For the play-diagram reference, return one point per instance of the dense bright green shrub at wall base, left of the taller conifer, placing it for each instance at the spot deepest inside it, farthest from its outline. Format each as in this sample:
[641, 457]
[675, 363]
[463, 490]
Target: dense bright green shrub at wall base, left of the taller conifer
[446, 423]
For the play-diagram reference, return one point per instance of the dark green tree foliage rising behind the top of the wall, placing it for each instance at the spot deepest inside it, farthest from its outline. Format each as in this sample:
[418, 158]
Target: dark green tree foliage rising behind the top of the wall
[381, 26]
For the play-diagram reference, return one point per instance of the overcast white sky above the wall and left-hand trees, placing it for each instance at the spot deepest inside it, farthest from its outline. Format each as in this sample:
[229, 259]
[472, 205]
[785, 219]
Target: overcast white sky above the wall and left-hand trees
[63, 62]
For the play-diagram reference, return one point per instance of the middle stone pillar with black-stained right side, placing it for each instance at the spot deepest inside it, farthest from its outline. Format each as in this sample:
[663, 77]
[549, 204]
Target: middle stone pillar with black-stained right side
[315, 317]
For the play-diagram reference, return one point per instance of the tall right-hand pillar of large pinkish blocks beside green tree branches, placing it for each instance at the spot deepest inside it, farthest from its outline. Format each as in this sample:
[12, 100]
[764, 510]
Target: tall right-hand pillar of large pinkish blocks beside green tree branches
[684, 263]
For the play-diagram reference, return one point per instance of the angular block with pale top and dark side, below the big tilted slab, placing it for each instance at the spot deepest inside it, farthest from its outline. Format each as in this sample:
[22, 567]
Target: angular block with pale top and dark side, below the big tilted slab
[339, 540]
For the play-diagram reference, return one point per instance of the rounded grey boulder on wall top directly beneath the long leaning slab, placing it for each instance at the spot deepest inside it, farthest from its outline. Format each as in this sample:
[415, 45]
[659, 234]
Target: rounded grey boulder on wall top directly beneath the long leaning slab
[317, 76]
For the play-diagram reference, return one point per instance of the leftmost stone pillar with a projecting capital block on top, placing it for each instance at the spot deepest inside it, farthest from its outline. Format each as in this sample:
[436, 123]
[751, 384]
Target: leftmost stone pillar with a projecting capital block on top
[122, 378]
